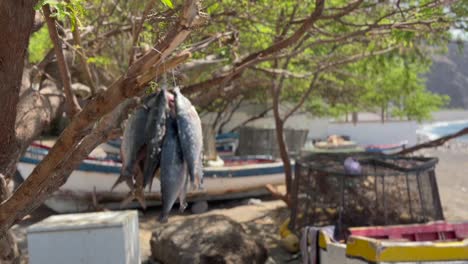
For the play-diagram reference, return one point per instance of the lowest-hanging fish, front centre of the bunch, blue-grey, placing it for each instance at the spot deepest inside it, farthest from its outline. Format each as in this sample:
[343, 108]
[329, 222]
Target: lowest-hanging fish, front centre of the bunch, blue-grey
[173, 170]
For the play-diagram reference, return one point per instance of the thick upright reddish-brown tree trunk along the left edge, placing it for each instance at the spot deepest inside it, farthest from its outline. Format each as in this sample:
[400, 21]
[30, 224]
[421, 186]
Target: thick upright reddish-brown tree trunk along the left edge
[16, 22]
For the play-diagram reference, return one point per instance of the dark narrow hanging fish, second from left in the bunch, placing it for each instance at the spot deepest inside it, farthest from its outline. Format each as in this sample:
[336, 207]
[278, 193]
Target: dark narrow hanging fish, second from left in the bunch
[155, 131]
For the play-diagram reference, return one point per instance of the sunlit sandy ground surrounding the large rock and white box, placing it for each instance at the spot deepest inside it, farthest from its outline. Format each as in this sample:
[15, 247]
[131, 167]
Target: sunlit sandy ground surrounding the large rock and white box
[259, 216]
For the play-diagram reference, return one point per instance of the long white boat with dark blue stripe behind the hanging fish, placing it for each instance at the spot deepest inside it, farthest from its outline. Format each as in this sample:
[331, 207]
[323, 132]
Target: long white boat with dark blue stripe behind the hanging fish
[89, 185]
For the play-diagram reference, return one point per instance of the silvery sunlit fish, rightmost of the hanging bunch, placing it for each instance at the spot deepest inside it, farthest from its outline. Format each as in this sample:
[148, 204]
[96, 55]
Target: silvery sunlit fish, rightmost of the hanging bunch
[191, 137]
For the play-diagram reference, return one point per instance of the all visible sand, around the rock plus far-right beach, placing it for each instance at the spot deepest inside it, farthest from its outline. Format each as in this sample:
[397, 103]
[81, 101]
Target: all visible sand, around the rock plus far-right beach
[262, 219]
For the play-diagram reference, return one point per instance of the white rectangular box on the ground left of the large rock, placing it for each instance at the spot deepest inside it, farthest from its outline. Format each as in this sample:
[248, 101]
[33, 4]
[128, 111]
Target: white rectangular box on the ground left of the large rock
[104, 237]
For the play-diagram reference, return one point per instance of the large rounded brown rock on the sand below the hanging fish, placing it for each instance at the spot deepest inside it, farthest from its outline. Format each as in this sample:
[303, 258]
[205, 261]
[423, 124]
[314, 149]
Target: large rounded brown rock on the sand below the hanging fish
[209, 239]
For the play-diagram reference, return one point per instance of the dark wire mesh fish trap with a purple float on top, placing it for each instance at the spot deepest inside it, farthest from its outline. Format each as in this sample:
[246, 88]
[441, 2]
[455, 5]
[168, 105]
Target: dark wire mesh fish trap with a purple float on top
[385, 190]
